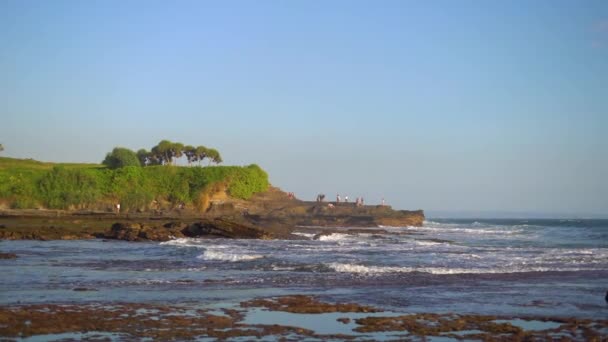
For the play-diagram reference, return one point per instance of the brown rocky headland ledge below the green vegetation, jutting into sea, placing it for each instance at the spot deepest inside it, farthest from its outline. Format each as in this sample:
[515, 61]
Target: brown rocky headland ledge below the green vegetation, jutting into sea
[271, 215]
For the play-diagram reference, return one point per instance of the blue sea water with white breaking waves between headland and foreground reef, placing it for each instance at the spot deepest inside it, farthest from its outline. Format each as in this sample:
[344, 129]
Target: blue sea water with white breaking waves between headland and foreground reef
[503, 267]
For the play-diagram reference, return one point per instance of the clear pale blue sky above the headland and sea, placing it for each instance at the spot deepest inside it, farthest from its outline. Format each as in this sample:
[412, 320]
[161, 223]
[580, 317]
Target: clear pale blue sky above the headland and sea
[448, 106]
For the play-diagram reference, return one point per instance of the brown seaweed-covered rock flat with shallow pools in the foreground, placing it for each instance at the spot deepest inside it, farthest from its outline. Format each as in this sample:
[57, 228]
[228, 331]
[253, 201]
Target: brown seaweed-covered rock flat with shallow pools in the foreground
[185, 322]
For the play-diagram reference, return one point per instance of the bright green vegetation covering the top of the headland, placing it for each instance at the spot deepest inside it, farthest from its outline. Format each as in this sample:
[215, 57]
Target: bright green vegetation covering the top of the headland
[33, 184]
